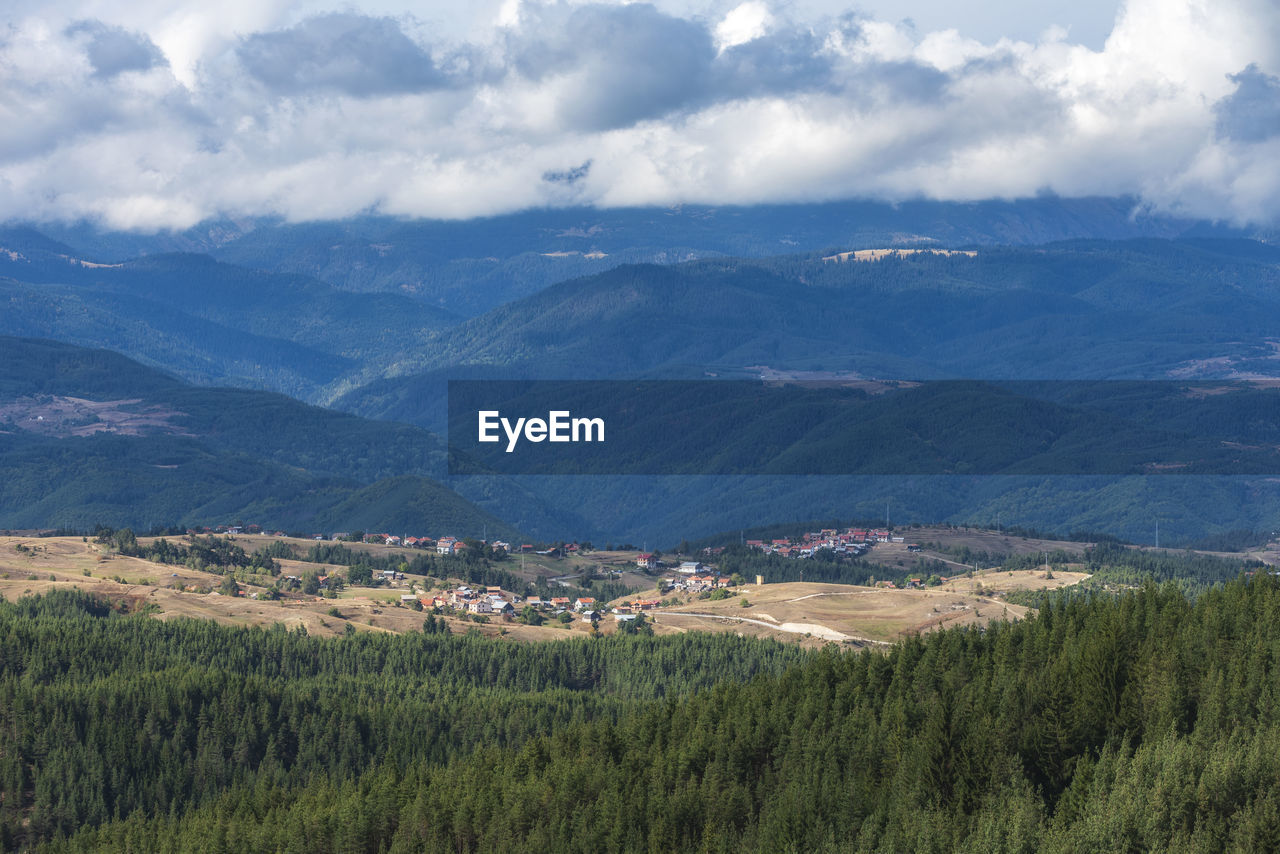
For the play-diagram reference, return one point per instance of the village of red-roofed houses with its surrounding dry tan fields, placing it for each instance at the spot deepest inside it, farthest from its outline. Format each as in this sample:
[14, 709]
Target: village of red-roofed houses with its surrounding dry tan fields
[386, 583]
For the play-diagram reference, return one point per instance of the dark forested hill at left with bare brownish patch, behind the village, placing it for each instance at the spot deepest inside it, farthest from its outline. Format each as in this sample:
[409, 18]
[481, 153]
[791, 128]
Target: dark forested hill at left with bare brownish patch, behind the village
[92, 437]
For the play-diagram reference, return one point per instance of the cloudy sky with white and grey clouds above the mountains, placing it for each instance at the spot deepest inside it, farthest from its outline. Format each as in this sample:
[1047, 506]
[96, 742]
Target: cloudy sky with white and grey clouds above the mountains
[159, 115]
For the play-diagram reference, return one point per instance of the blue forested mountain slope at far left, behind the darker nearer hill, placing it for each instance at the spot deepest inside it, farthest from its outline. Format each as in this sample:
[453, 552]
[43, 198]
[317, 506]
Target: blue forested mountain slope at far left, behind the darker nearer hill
[208, 322]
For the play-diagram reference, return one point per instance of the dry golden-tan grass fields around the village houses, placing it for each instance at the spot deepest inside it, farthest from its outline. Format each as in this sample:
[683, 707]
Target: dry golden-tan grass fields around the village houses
[811, 614]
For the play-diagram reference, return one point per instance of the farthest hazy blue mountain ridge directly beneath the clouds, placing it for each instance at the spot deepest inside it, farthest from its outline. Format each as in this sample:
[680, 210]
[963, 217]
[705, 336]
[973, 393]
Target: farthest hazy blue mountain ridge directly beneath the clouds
[472, 267]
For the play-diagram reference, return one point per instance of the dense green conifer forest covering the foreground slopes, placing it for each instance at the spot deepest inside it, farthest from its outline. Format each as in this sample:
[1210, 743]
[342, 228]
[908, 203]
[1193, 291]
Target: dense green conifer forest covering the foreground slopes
[1145, 721]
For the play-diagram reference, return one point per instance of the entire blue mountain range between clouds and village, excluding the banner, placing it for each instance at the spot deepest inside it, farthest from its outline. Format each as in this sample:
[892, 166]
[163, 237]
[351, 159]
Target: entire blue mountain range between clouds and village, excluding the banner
[374, 316]
